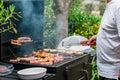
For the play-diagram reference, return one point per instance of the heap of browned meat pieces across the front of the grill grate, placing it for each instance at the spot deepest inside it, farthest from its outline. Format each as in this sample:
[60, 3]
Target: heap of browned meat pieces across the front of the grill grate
[41, 57]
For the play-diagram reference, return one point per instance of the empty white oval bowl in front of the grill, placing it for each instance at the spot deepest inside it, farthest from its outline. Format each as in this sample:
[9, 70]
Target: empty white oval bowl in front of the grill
[32, 73]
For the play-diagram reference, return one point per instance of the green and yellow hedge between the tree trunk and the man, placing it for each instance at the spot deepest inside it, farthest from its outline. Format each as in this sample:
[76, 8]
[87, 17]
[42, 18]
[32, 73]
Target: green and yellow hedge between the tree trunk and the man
[84, 24]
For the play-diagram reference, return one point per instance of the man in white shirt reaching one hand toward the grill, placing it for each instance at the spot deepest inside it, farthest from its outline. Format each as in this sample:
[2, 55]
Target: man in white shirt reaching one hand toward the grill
[107, 42]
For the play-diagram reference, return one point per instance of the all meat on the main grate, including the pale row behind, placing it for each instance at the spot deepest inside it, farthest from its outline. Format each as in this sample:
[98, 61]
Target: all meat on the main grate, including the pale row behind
[46, 57]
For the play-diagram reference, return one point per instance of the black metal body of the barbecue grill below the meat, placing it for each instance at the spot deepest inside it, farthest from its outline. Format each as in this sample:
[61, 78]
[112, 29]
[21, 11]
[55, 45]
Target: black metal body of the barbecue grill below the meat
[69, 69]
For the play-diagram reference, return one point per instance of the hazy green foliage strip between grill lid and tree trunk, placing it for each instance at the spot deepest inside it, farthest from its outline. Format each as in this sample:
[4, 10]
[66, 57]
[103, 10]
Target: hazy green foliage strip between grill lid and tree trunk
[49, 27]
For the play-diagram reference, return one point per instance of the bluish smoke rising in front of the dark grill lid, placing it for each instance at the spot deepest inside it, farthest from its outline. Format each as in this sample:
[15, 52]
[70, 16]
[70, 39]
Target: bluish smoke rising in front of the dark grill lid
[31, 24]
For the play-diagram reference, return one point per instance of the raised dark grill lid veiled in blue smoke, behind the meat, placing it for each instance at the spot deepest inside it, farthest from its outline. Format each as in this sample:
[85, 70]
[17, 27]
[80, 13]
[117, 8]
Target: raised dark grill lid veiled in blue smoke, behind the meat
[31, 25]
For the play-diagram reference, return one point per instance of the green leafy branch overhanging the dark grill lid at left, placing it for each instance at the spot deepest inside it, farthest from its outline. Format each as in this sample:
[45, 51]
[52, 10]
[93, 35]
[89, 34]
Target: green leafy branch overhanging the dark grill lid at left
[7, 17]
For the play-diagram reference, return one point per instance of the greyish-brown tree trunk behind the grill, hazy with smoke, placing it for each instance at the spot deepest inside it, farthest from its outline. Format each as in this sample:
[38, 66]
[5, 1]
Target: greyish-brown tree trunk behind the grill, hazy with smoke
[61, 9]
